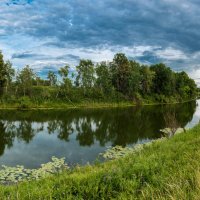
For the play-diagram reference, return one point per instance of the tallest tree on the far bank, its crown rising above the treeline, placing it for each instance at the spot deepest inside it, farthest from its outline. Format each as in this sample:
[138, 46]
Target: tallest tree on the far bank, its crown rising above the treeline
[120, 72]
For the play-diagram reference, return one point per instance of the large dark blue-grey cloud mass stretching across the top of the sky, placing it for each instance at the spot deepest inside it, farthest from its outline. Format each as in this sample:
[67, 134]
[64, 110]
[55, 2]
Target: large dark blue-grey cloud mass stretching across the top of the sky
[91, 23]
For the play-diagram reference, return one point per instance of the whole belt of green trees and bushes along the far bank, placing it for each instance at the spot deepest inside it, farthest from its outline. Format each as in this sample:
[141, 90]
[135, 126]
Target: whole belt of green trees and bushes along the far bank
[119, 80]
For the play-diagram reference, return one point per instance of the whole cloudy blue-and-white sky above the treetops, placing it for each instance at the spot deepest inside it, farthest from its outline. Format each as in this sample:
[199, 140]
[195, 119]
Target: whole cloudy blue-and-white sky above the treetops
[48, 34]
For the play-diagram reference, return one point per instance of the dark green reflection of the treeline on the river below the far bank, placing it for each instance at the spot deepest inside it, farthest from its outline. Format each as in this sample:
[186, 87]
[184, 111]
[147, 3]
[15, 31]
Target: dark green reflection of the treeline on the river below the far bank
[117, 126]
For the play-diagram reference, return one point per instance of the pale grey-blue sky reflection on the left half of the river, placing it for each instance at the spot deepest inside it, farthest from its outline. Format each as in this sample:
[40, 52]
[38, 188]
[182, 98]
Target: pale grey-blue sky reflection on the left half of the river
[44, 146]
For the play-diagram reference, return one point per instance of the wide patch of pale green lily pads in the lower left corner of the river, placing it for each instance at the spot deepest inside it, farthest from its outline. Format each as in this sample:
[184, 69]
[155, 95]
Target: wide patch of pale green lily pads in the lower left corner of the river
[11, 175]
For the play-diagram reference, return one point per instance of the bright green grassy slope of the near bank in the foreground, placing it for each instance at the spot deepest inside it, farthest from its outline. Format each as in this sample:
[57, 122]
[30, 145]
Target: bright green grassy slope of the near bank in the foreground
[168, 169]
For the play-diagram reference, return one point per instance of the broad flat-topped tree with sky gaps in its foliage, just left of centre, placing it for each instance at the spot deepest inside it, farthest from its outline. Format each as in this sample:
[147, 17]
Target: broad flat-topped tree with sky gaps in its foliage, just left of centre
[85, 74]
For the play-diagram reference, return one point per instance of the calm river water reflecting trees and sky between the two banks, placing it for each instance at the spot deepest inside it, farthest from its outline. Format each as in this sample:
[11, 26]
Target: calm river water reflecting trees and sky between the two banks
[31, 138]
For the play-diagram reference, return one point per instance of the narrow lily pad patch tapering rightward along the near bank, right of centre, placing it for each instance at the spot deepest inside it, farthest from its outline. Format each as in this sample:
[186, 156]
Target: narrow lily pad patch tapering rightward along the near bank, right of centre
[118, 151]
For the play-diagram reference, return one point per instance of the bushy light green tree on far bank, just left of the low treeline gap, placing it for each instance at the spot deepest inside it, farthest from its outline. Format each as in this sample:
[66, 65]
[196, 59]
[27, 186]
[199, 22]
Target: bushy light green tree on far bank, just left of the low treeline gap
[25, 79]
